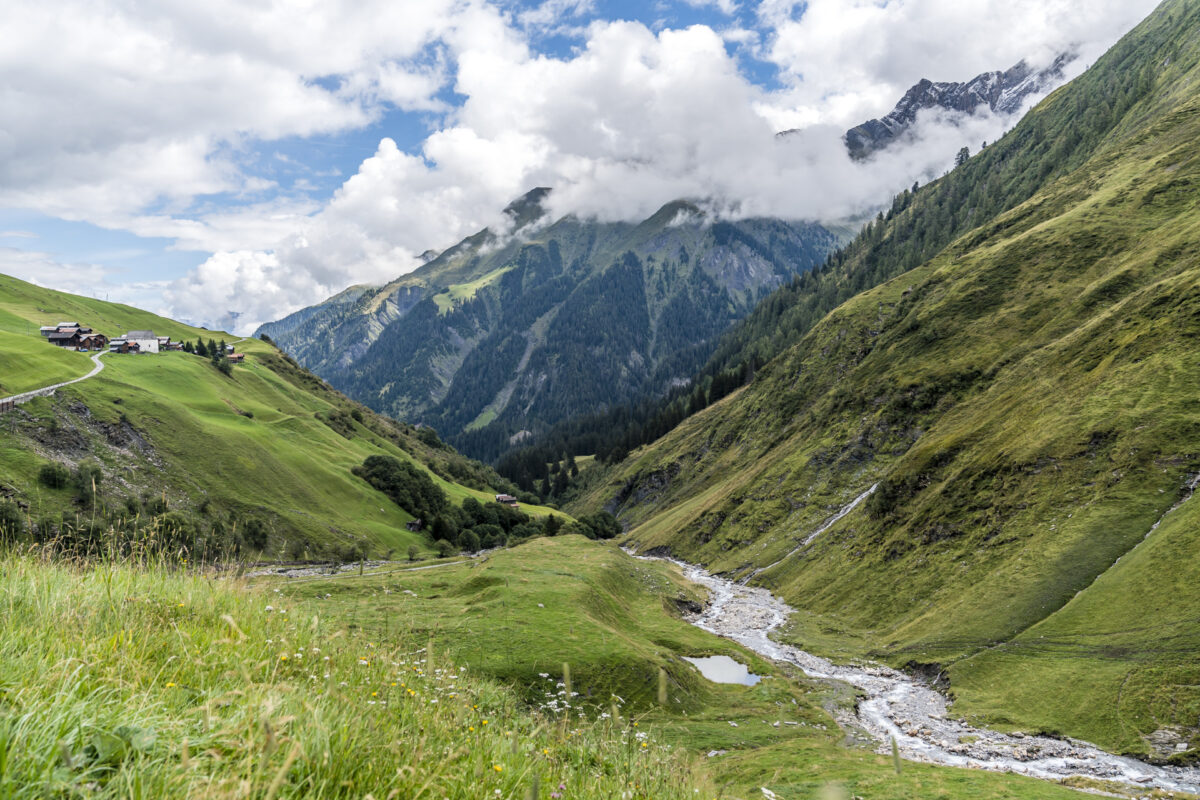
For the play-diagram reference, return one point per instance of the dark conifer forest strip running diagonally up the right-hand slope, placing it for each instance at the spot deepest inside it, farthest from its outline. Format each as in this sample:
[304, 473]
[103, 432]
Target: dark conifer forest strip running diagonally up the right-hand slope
[921, 224]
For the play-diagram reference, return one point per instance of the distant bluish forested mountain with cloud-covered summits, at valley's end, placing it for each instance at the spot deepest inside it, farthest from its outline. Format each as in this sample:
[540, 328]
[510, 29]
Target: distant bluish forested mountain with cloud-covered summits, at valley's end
[501, 336]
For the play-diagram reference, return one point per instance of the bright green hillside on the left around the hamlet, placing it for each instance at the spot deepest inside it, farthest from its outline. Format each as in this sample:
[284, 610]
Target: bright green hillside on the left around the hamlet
[262, 456]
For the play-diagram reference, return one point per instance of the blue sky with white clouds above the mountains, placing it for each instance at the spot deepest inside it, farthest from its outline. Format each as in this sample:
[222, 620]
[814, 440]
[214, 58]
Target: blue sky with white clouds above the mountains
[231, 163]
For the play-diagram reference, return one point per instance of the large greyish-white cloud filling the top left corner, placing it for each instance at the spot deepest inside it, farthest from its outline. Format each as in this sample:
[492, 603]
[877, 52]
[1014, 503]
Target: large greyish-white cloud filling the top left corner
[111, 107]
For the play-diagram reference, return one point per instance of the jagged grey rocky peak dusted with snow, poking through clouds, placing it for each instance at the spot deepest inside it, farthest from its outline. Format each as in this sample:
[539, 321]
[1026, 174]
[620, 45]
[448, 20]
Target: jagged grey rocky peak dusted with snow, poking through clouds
[1003, 93]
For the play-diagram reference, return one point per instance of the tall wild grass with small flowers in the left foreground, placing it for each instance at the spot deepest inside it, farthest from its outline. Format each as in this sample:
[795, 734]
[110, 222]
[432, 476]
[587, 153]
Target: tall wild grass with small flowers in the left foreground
[149, 682]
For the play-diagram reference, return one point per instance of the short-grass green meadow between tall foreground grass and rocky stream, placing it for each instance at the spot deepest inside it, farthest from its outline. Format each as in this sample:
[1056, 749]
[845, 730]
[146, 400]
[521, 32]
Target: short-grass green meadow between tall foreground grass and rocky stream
[517, 616]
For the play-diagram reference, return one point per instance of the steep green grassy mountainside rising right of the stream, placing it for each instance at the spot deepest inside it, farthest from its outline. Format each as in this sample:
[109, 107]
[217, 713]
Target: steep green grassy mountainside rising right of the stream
[1003, 426]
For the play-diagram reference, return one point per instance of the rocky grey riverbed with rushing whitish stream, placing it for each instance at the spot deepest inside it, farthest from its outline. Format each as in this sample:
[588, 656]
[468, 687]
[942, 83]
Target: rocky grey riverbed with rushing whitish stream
[902, 707]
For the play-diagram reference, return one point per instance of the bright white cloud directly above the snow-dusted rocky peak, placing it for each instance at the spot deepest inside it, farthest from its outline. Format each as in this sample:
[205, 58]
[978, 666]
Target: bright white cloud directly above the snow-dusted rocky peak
[853, 59]
